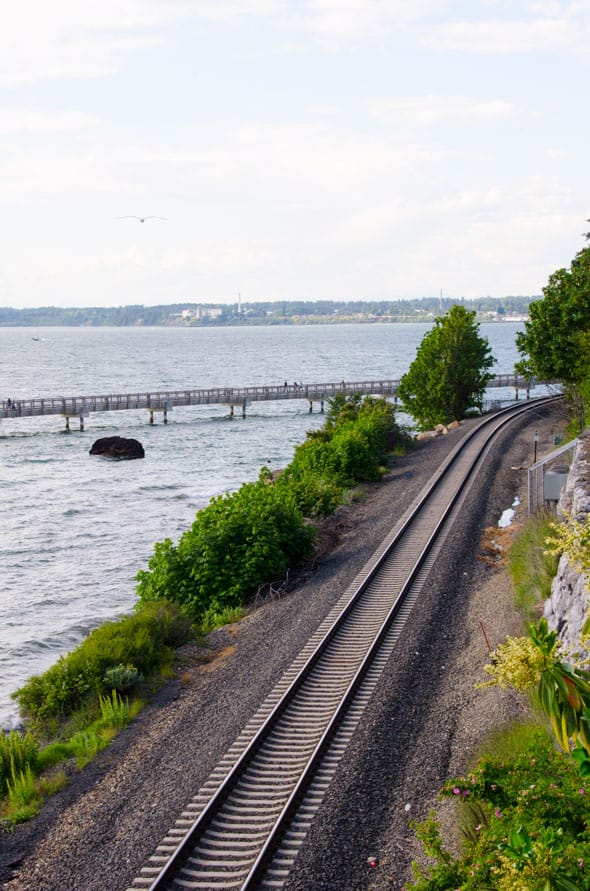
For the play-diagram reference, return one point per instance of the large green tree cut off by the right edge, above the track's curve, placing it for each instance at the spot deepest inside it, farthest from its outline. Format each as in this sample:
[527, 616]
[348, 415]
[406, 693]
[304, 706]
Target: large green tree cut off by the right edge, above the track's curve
[555, 340]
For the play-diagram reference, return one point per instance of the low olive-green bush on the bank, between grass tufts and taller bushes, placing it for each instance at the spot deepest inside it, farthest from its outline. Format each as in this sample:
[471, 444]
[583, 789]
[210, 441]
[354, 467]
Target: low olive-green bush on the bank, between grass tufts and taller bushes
[145, 640]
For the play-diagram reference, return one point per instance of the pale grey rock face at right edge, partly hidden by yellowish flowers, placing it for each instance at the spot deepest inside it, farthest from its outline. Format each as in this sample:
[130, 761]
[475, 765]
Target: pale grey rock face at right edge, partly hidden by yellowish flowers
[567, 607]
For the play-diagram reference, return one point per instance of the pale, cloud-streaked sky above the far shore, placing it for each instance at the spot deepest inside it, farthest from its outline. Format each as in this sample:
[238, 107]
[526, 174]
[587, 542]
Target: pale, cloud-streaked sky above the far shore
[297, 149]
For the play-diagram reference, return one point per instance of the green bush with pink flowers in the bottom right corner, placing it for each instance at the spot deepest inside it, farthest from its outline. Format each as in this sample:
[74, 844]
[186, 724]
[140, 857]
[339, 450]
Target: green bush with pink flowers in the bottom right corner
[533, 828]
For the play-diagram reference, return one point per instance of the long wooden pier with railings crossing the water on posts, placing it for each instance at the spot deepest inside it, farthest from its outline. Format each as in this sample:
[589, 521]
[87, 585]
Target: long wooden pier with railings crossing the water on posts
[80, 407]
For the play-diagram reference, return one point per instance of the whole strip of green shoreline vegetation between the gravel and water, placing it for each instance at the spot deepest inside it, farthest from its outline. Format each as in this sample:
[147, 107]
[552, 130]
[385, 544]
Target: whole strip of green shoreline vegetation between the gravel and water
[233, 554]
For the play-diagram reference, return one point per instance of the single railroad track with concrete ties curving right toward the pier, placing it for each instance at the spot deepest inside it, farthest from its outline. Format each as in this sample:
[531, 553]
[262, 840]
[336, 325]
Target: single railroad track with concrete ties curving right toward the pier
[245, 826]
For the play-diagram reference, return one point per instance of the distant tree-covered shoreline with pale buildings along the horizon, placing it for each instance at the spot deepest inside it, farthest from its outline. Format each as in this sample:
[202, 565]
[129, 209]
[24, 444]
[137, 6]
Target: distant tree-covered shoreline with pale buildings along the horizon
[278, 312]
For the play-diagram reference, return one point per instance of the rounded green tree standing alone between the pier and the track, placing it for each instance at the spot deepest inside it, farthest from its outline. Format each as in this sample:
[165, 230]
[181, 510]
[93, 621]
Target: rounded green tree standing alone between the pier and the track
[450, 371]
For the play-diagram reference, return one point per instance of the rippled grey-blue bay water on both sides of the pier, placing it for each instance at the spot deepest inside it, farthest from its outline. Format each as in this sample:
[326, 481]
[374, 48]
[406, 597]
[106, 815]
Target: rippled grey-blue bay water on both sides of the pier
[75, 529]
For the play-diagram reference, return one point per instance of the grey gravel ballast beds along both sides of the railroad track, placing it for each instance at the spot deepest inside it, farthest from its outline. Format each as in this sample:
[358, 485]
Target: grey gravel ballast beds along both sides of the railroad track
[424, 722]
